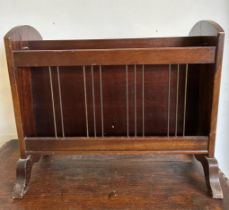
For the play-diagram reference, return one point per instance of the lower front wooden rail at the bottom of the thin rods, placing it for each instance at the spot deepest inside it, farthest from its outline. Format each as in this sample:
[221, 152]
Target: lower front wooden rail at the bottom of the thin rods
[199, 143]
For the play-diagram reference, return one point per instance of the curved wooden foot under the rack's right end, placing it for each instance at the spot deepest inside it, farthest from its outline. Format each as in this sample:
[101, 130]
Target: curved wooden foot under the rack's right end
[211, 172]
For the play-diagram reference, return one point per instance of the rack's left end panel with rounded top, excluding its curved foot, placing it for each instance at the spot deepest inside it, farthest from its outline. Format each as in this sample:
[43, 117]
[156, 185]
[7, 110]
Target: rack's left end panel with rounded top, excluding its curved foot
[16, 39]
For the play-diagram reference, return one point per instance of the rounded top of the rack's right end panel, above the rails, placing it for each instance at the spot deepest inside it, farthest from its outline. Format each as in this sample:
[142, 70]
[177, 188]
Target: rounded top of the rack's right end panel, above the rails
[206, 28]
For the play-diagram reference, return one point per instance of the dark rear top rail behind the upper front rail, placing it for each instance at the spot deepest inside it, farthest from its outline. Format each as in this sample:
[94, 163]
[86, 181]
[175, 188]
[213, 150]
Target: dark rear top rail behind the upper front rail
[122, 43]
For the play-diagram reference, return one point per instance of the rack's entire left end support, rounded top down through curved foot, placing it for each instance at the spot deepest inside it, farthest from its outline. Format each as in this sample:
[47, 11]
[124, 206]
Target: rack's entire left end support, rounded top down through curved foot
[17, 38]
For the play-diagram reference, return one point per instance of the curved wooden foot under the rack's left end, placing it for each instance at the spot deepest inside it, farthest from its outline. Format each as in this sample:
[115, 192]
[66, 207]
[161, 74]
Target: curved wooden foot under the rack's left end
[23, 174]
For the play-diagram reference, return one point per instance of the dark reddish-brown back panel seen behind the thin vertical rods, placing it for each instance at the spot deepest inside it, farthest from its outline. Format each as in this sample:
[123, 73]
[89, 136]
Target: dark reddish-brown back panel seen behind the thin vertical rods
[114, 101]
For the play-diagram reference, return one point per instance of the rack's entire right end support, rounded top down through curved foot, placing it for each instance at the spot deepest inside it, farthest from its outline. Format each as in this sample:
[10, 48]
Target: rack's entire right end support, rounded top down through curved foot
[209, 163]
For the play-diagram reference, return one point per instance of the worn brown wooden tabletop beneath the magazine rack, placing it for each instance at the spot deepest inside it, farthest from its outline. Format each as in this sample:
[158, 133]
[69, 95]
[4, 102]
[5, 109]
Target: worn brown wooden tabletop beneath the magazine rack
[109, 182]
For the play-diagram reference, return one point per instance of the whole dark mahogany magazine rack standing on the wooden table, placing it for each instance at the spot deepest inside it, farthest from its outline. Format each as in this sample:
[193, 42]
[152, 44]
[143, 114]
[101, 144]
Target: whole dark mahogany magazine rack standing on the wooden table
[116, 96]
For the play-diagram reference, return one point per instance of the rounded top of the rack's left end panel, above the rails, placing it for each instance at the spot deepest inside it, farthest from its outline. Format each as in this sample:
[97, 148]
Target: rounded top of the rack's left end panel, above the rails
[23, 33]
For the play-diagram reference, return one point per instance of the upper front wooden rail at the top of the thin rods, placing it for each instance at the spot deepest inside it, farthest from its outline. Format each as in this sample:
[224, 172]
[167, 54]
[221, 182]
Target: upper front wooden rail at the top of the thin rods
[177, 55]
